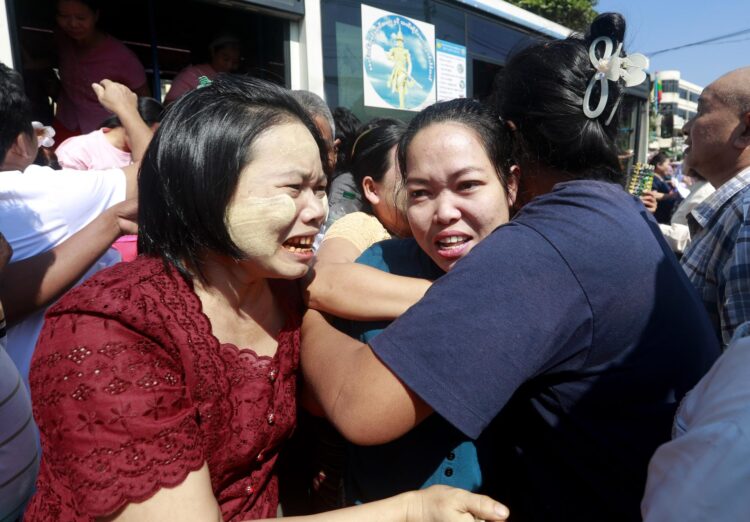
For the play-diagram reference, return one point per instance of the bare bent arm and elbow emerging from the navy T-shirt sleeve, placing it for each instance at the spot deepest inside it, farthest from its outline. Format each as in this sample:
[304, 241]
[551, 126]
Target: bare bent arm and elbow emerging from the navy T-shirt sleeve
[366, 402]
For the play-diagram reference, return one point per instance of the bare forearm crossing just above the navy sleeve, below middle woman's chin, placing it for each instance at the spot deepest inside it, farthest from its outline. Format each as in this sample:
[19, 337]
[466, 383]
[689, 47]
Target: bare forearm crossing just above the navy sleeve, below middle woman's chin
[362, 293]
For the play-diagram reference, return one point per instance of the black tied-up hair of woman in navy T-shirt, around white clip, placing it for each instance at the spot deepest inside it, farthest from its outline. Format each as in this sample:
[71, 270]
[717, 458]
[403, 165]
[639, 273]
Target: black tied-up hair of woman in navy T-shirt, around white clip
[541, 96]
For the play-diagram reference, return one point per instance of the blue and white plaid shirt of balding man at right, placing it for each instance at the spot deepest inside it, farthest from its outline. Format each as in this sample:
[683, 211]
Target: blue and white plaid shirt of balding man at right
[717, 261]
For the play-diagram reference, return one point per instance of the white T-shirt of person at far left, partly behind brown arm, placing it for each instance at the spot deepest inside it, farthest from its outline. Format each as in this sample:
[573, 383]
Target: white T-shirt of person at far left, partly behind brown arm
[39, 209]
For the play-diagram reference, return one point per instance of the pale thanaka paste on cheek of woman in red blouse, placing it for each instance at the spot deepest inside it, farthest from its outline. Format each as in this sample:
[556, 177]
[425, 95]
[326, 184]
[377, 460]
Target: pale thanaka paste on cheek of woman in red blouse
[257, 225]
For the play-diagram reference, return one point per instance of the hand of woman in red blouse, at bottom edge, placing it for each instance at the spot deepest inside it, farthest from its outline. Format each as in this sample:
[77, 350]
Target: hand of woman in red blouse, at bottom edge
[446, 504]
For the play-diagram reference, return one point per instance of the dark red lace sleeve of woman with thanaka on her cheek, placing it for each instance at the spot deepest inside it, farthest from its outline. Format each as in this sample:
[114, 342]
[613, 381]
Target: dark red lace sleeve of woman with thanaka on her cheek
[116, 419]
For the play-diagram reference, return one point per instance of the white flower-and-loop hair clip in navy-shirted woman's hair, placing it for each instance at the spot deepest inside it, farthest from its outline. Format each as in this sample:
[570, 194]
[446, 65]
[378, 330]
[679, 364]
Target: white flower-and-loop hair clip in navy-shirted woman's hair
[611, 67]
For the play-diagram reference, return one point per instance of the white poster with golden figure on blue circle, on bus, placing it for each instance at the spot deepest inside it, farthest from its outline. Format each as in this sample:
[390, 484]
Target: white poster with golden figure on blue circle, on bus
[398, 60]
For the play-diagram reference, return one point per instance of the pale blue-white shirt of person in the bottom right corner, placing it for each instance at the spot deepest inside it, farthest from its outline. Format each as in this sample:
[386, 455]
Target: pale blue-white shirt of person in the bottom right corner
[704, 472]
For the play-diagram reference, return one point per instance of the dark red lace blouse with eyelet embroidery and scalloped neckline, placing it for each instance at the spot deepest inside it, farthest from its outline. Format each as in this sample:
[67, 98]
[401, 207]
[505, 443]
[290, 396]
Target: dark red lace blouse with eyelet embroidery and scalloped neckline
[132, 392]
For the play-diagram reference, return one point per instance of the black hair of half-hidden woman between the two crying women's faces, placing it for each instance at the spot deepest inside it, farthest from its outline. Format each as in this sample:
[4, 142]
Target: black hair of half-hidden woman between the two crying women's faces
[370, 155]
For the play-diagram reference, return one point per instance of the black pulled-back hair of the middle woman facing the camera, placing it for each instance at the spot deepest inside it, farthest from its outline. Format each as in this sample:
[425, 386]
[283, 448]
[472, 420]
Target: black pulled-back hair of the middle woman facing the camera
[484, 121]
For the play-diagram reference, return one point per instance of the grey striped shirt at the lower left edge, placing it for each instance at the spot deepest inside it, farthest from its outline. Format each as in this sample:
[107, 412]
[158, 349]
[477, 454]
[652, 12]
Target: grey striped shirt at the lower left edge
[19, 458]
